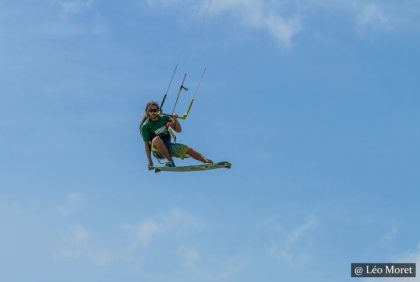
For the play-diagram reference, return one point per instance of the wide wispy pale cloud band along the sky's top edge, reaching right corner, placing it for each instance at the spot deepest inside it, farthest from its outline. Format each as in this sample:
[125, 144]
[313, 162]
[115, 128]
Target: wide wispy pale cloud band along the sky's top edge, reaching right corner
[284, 20]
